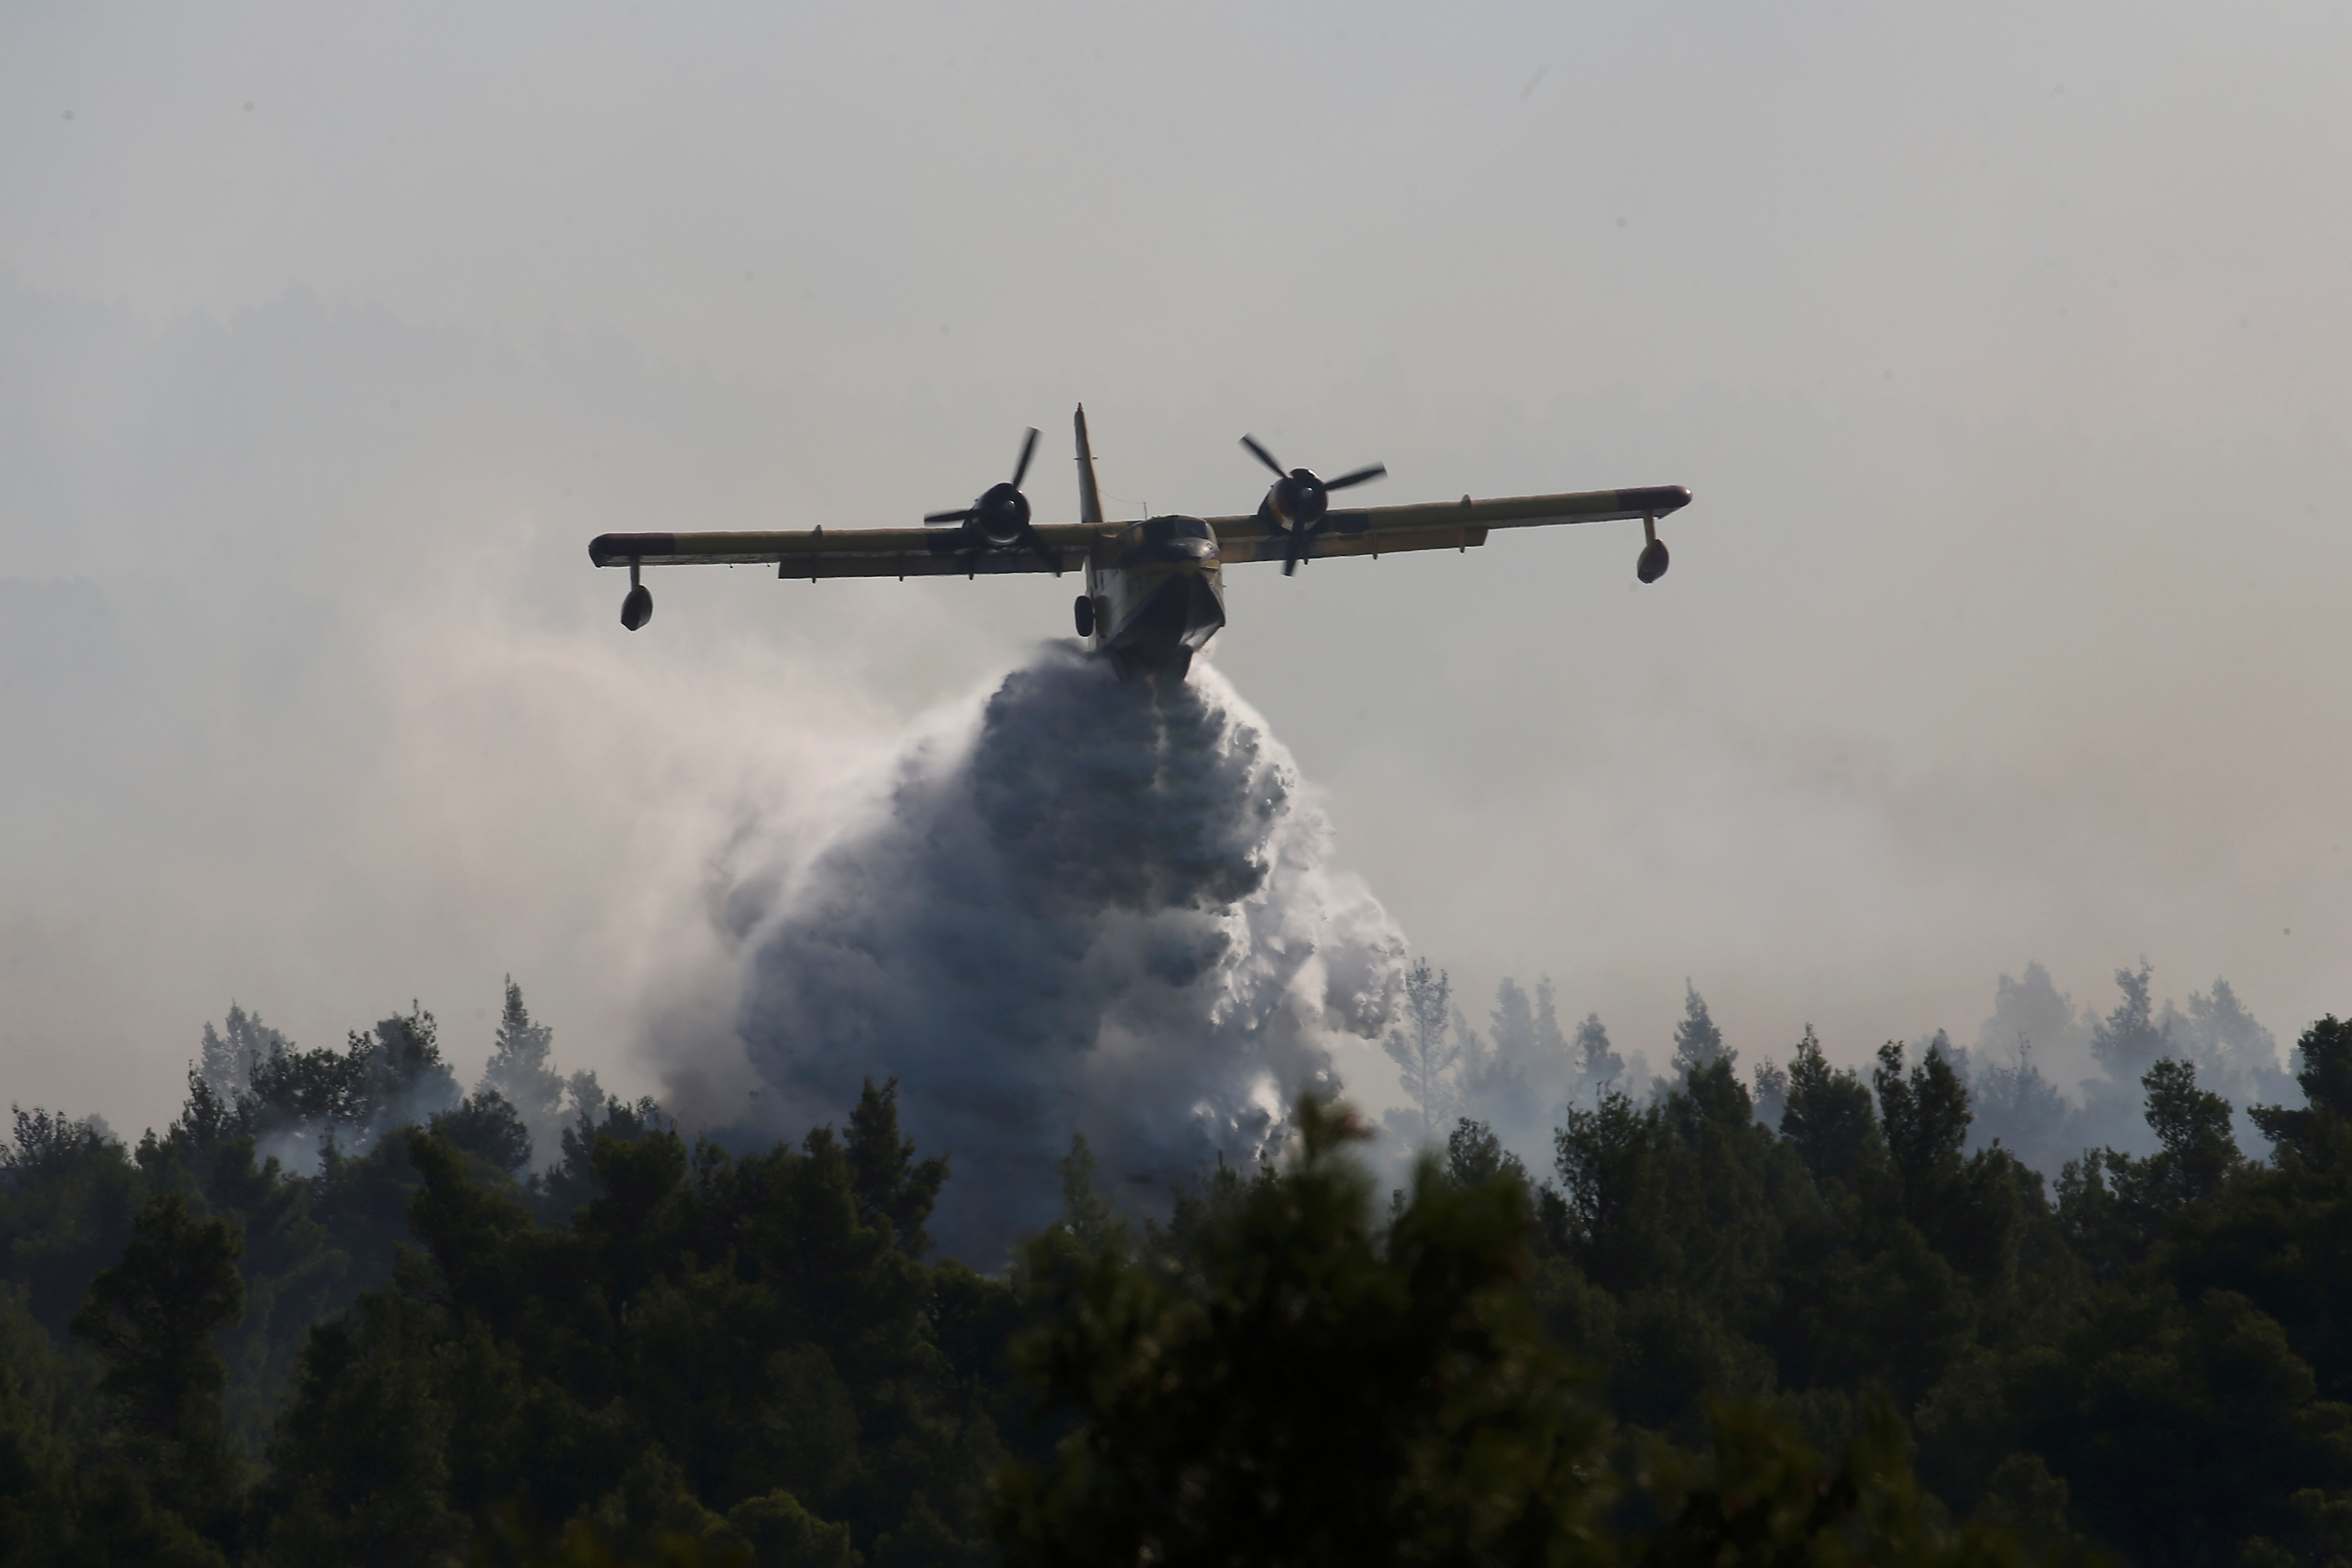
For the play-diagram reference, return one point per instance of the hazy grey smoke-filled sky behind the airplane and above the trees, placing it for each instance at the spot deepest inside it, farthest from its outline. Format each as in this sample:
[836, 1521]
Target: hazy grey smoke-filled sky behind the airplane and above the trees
[2007, 351]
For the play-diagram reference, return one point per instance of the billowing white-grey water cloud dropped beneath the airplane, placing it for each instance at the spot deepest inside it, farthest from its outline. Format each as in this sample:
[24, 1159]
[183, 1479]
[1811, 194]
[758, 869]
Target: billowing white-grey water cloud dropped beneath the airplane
[1093, 909]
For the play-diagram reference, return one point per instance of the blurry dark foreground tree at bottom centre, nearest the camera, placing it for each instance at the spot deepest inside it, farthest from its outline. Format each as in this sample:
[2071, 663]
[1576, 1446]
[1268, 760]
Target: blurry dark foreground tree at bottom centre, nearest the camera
[1297, 1388]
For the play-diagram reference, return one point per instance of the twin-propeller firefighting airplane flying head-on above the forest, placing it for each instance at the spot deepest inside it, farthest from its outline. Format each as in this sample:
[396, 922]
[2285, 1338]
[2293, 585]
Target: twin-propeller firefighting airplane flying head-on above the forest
[1154, 589]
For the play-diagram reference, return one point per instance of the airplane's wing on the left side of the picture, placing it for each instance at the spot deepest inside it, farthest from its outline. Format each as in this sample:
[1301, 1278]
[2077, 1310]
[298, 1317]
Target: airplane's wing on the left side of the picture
[820, 554]
